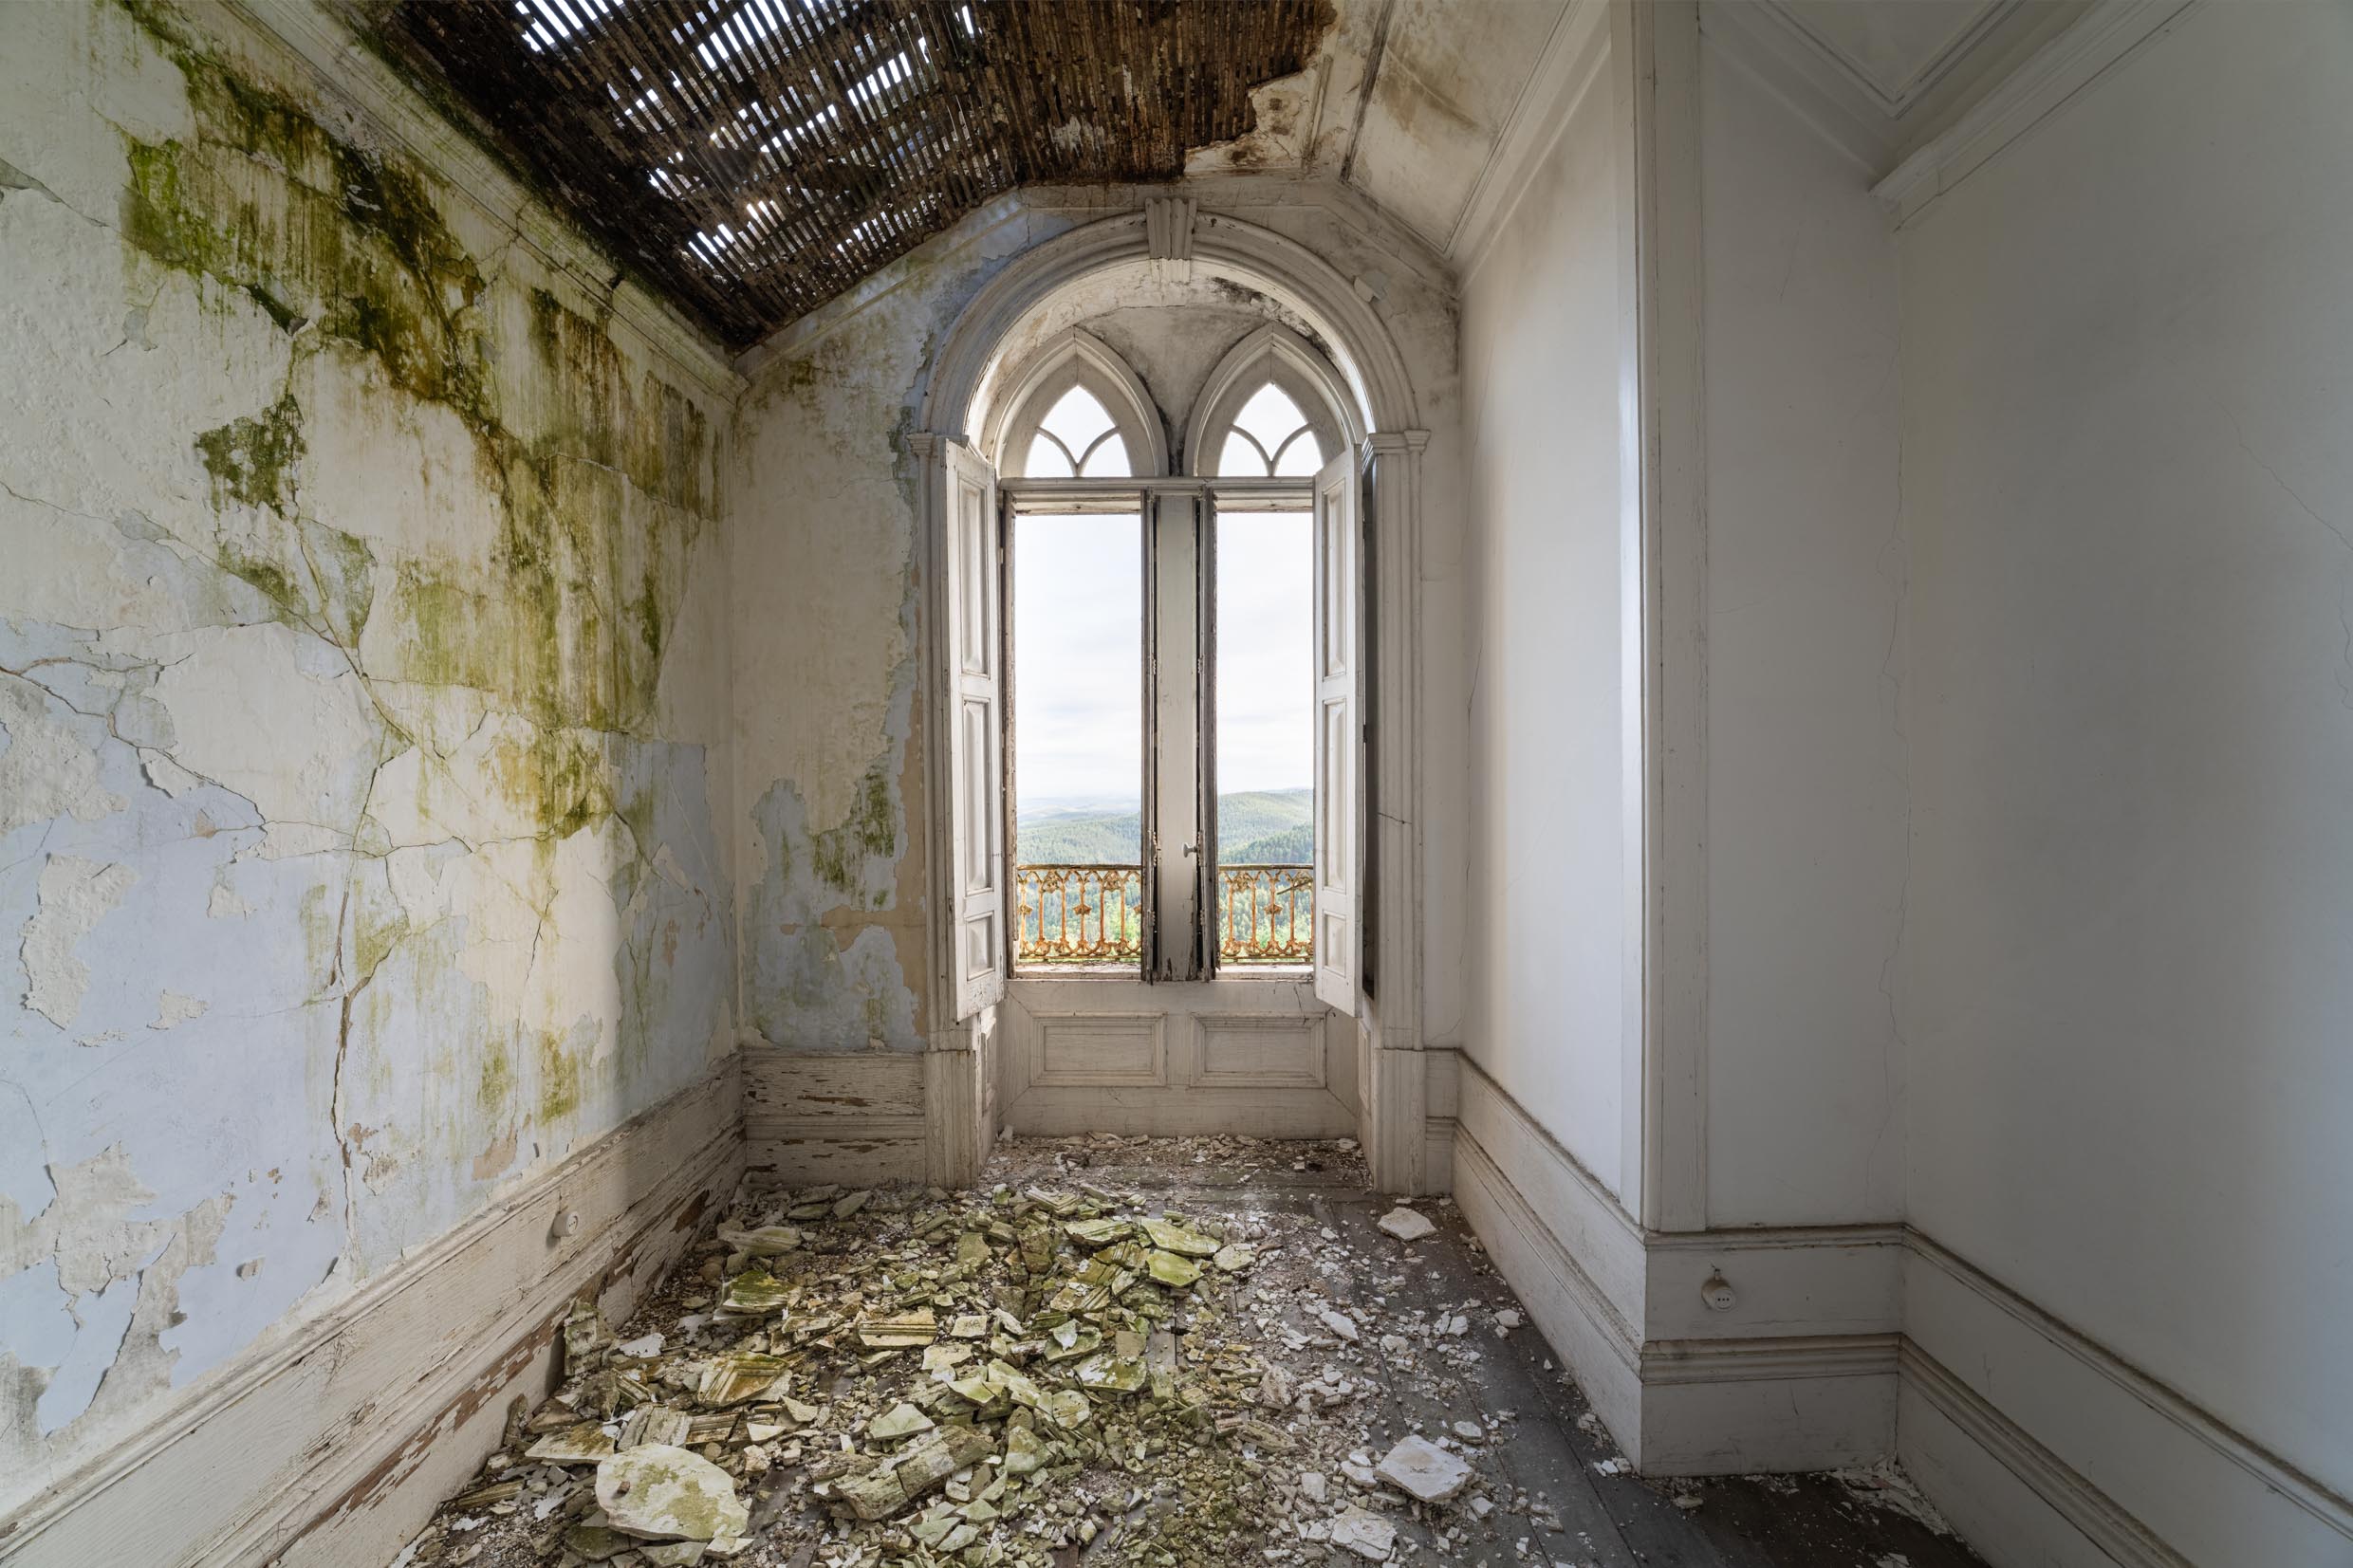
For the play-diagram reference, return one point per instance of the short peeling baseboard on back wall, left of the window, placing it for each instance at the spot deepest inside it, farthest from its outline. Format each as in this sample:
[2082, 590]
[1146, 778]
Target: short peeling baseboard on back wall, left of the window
[839, 1118]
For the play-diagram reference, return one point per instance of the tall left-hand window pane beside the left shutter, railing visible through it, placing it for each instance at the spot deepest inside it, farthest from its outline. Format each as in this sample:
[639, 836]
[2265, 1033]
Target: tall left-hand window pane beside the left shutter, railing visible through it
[1079, 739]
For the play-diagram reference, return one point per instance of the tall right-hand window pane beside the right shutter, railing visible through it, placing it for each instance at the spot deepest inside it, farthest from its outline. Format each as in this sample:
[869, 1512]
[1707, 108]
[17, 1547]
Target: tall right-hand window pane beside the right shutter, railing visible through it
[1265, 737]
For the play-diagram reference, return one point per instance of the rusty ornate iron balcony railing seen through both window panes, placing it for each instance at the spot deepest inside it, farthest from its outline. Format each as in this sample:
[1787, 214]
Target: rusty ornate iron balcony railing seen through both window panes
[1095, 916]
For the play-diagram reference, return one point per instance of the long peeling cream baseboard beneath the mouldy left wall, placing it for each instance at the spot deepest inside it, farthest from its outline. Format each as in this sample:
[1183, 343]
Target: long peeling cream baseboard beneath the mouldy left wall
[335, 1442]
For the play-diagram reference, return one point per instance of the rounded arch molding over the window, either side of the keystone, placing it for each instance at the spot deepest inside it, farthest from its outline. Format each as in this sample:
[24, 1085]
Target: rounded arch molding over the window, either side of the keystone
[968, 384]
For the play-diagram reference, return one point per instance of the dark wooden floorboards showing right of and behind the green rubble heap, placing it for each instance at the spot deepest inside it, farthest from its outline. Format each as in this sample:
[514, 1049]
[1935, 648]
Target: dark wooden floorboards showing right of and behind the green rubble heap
[1557, 1449]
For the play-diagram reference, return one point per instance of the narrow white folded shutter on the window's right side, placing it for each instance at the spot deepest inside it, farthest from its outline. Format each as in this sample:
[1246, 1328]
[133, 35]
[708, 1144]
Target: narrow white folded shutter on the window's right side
[1340, 735]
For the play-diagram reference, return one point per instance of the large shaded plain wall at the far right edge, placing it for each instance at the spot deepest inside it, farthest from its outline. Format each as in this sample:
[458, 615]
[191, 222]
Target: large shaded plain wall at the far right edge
[2128, 485]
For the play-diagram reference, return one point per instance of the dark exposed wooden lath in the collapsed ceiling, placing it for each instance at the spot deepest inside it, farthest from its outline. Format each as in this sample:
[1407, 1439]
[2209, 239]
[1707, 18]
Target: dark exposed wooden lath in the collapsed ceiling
[761, 156]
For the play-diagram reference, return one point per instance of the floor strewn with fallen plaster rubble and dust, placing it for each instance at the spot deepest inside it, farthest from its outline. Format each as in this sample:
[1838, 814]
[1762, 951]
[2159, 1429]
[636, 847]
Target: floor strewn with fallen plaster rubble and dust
[1161, 1353]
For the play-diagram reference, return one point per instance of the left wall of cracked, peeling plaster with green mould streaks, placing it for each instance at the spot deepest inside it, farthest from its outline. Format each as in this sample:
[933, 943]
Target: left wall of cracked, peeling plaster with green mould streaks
[364, 711]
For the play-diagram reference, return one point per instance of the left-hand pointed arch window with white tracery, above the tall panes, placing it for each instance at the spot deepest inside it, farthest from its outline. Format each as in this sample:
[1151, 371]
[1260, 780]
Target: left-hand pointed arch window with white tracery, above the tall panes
[1076, 413]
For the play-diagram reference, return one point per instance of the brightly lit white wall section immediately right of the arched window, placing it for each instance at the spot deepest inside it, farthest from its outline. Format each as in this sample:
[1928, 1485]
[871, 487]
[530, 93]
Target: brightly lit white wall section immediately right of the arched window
[1547, 869]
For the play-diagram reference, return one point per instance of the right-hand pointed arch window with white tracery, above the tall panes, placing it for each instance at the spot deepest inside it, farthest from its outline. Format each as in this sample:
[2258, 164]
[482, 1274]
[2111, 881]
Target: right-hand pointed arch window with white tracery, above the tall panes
[1267, 413]
